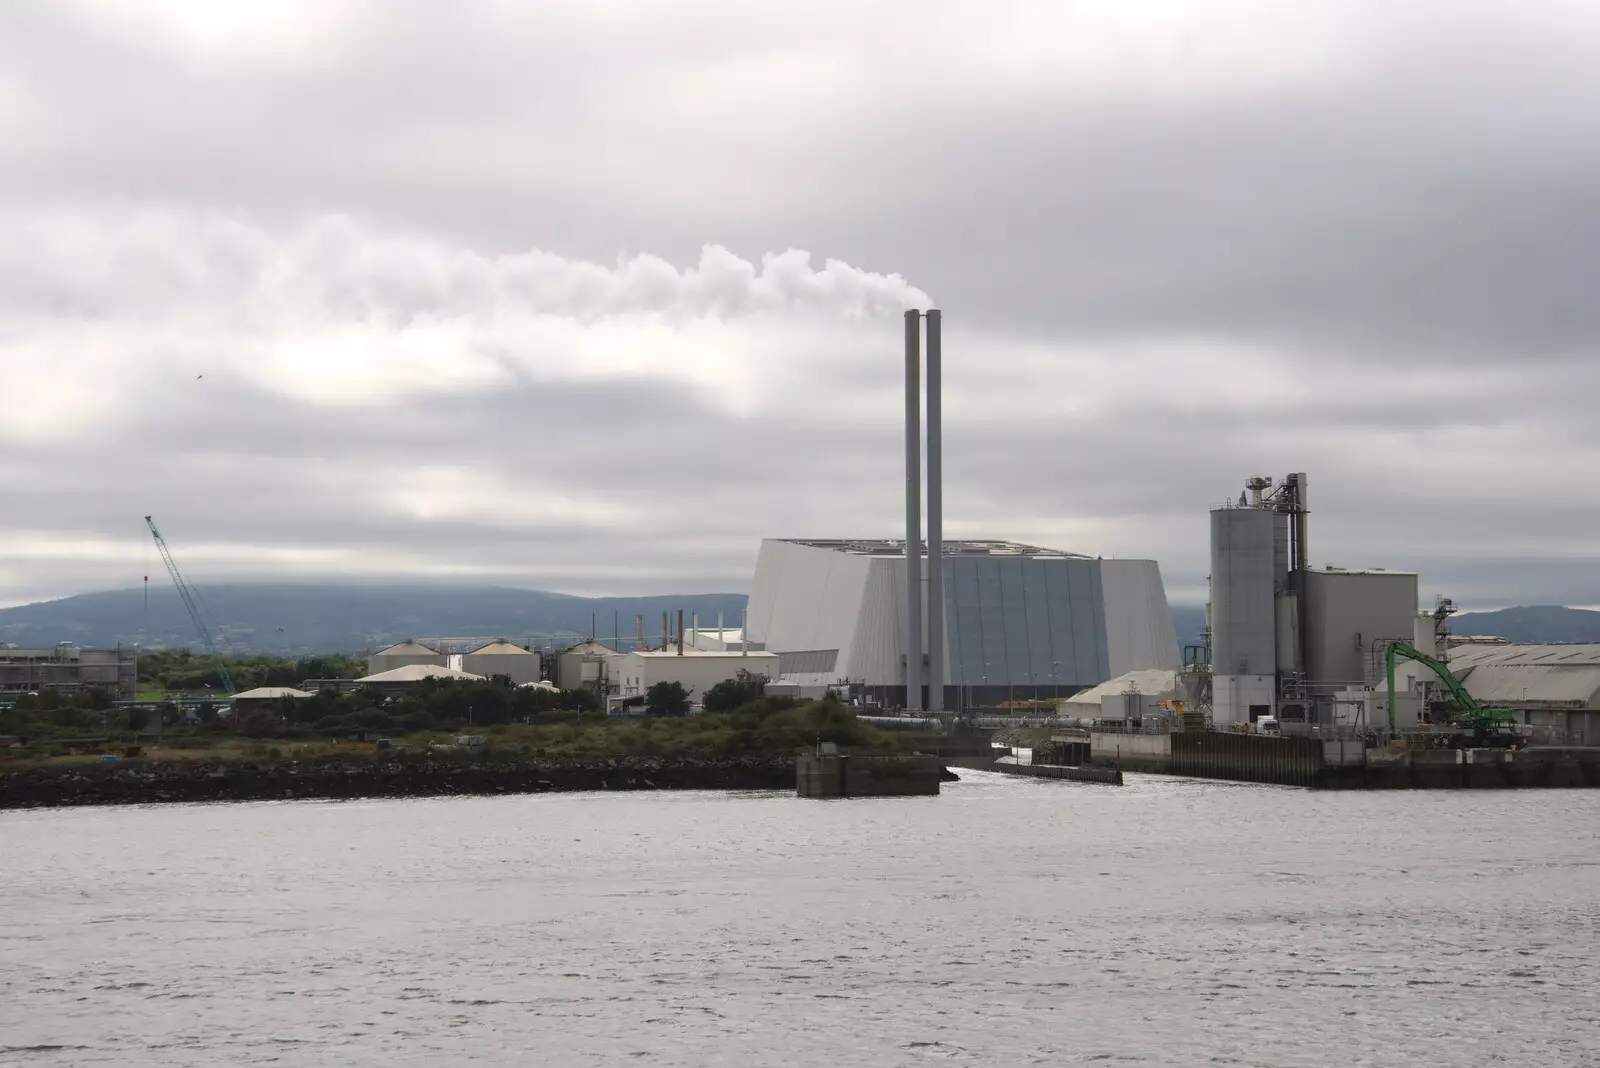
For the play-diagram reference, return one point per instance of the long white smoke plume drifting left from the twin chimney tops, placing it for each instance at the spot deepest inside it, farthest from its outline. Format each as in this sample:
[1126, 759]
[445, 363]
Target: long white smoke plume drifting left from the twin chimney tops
[337, 268]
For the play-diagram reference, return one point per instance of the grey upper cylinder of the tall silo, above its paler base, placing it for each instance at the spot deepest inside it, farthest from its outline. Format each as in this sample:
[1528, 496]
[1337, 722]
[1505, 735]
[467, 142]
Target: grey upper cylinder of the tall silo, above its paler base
[1244, 616]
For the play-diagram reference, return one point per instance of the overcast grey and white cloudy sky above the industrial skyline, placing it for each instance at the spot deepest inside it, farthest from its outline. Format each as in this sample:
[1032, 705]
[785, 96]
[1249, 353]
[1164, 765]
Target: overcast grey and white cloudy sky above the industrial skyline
[593, 295]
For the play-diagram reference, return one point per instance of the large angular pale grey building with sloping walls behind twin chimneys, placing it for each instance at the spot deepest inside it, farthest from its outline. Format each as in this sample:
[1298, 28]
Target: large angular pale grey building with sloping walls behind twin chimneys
[1017, 623]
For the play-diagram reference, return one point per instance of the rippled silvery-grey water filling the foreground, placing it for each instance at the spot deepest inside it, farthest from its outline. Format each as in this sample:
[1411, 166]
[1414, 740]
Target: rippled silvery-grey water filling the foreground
[1004, 923]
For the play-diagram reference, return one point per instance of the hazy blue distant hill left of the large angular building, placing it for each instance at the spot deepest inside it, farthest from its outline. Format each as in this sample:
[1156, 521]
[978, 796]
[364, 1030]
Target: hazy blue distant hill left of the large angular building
[300, 620]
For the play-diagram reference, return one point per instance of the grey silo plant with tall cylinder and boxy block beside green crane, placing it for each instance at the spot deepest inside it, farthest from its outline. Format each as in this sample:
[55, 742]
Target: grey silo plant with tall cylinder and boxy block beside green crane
[1289, 640]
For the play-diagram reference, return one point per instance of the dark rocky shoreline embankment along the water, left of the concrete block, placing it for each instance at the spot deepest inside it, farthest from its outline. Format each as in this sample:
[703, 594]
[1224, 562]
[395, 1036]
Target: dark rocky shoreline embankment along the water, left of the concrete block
[145, 783]
